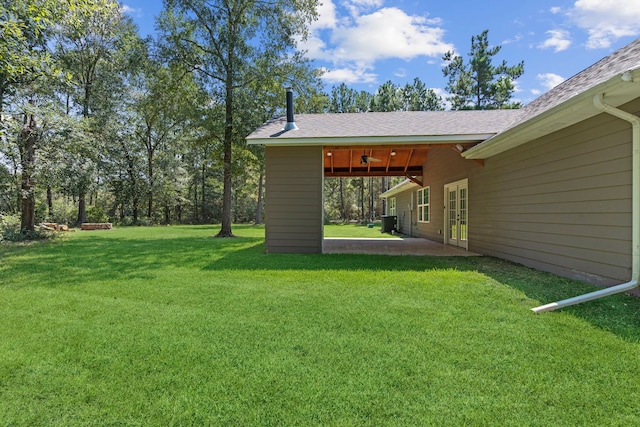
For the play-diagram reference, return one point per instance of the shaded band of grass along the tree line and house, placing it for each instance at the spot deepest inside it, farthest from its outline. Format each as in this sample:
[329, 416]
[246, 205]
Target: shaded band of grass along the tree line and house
[107, 258]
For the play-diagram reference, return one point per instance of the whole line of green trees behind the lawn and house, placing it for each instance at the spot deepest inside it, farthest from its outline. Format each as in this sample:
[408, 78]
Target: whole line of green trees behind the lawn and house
[99, 124]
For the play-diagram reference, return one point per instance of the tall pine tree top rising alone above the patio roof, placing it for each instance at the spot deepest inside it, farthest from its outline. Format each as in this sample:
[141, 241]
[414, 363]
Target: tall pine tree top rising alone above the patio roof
[479, 84]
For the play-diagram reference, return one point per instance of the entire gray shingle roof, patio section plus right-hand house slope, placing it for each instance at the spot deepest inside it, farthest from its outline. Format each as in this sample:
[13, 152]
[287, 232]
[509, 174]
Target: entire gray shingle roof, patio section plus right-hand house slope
[449, 123]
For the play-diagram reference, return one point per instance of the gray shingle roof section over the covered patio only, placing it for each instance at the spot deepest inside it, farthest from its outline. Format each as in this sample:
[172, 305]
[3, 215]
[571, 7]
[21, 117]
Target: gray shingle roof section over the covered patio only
[402, 123]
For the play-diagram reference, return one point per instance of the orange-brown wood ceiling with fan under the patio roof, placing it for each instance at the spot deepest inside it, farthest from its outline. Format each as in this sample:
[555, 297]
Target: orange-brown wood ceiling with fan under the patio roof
[379, 160]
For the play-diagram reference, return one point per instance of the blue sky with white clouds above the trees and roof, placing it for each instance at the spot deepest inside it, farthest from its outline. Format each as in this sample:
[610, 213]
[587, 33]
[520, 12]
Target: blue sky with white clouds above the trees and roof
[365, 43]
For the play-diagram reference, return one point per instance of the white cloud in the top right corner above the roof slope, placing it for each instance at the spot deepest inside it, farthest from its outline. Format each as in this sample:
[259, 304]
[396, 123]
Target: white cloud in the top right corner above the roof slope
[606, 21]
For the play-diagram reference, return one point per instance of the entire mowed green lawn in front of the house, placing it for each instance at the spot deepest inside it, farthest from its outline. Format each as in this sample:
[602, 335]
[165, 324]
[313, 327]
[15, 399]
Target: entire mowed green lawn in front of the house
[169, 326]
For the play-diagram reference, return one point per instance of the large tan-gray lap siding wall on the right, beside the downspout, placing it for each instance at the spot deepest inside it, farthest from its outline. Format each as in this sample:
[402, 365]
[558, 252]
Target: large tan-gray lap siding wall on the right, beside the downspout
[561, 203]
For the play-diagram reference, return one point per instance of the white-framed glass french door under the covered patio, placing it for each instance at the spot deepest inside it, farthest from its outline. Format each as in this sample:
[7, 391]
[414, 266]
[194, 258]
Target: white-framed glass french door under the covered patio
[456, 217]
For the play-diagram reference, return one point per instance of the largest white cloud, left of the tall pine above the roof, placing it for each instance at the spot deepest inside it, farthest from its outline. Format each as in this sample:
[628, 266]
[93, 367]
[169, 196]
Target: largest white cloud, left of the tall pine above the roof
[356, 42]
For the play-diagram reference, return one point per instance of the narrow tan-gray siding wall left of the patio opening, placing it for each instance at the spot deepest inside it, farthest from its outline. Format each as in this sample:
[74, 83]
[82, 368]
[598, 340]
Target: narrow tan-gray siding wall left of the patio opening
[293, 199]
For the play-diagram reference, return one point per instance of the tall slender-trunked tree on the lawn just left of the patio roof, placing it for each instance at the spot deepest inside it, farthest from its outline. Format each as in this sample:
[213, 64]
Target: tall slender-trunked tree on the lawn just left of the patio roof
[230, 44]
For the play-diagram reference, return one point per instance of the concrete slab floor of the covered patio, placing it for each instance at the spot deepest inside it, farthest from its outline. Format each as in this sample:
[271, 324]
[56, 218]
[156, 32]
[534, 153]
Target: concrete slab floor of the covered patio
[399, 246]
